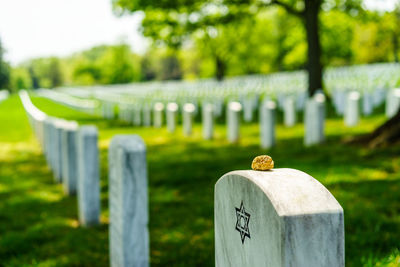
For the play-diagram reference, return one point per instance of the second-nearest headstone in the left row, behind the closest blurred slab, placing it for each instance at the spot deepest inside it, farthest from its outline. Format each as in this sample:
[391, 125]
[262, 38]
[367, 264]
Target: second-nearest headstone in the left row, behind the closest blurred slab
[88, 176]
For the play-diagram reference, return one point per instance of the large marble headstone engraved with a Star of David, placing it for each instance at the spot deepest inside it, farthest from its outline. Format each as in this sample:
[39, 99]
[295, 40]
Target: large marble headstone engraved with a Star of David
[282, 217]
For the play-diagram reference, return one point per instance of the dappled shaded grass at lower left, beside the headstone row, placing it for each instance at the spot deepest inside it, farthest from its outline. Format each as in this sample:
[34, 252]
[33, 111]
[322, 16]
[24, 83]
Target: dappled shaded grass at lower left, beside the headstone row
[38, 224]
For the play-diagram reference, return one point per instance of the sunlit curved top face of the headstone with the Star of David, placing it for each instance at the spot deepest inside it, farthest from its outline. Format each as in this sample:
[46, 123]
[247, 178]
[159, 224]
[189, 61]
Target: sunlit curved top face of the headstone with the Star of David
[291, 191]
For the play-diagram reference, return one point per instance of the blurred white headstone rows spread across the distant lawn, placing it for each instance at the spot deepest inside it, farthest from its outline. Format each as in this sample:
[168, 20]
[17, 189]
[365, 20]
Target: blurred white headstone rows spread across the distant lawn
[354, 91]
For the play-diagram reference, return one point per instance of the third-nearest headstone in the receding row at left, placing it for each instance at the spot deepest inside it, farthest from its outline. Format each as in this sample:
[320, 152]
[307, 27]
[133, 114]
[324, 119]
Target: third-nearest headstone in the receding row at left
[70, 157]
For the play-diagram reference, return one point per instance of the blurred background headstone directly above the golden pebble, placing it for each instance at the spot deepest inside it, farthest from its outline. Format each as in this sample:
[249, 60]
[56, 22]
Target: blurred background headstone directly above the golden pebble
[267, 124]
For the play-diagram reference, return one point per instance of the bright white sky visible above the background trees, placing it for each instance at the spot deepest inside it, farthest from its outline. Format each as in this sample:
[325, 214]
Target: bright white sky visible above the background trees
[36, 28]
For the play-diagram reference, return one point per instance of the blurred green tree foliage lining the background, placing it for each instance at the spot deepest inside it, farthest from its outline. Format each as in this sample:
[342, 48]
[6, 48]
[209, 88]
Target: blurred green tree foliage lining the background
[206, 39]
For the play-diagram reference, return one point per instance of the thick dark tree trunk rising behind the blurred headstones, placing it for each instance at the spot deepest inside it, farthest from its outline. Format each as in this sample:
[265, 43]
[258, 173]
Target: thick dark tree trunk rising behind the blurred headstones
[314, 66]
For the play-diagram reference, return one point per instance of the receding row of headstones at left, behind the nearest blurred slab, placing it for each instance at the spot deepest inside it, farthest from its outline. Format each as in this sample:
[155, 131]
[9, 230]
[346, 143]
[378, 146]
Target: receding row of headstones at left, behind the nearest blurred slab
[72, 154]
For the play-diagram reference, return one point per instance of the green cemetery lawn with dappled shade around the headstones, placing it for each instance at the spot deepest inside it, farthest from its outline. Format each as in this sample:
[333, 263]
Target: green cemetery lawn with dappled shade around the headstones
[39, 227]
